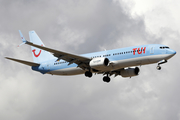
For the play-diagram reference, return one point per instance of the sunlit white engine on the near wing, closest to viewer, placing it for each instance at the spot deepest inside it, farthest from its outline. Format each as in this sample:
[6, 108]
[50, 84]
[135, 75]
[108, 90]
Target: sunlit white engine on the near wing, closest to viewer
[99, 63]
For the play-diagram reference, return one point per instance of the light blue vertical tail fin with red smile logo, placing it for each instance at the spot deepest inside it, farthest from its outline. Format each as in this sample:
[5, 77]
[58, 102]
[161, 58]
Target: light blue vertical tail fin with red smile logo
[38, 54]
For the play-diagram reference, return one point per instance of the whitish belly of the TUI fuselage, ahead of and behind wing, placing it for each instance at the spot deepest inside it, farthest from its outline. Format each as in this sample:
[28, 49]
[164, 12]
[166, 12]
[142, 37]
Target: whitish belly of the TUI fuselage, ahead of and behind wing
[115, 66]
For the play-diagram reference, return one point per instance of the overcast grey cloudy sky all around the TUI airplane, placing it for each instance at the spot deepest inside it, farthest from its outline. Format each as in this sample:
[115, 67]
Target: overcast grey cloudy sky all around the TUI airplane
[82, 26]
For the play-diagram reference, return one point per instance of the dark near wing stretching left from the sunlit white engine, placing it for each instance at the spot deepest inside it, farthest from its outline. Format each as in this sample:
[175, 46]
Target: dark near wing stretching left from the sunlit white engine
[71, 58]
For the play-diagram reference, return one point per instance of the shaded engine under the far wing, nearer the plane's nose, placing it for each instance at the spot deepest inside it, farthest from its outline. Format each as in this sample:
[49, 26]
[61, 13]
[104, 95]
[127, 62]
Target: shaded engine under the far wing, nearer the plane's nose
[130, 72]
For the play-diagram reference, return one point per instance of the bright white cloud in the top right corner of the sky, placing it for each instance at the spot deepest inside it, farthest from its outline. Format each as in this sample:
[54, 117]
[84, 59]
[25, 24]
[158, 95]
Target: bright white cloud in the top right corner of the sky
[158, 14]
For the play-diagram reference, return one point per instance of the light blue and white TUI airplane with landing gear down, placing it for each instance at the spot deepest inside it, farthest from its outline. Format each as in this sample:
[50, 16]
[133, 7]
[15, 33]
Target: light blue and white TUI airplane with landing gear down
[122, 61]
